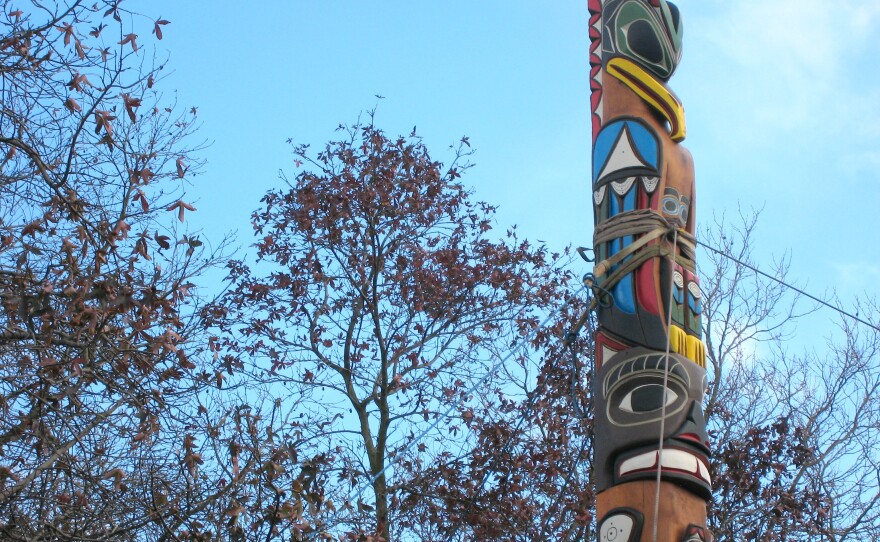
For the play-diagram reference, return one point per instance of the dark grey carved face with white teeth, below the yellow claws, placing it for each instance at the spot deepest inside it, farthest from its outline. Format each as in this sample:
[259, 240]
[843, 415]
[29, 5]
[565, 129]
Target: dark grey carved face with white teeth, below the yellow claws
[632, 397]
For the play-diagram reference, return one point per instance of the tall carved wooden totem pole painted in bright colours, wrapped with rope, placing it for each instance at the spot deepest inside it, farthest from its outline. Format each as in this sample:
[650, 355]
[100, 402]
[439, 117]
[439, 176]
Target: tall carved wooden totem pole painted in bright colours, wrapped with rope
[651, 463]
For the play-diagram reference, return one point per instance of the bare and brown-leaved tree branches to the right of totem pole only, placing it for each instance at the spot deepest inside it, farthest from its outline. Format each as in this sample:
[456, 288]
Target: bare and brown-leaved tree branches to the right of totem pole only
[795, 434]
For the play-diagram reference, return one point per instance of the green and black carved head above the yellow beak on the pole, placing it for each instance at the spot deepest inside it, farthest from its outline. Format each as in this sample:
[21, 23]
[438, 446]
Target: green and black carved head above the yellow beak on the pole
[648, 32]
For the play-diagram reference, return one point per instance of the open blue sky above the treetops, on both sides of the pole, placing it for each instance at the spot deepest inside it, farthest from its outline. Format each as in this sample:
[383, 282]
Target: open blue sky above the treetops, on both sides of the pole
[781, 98]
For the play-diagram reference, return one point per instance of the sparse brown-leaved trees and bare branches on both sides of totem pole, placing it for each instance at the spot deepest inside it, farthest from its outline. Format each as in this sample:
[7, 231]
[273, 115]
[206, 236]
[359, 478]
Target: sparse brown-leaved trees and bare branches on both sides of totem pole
[387, 363]
